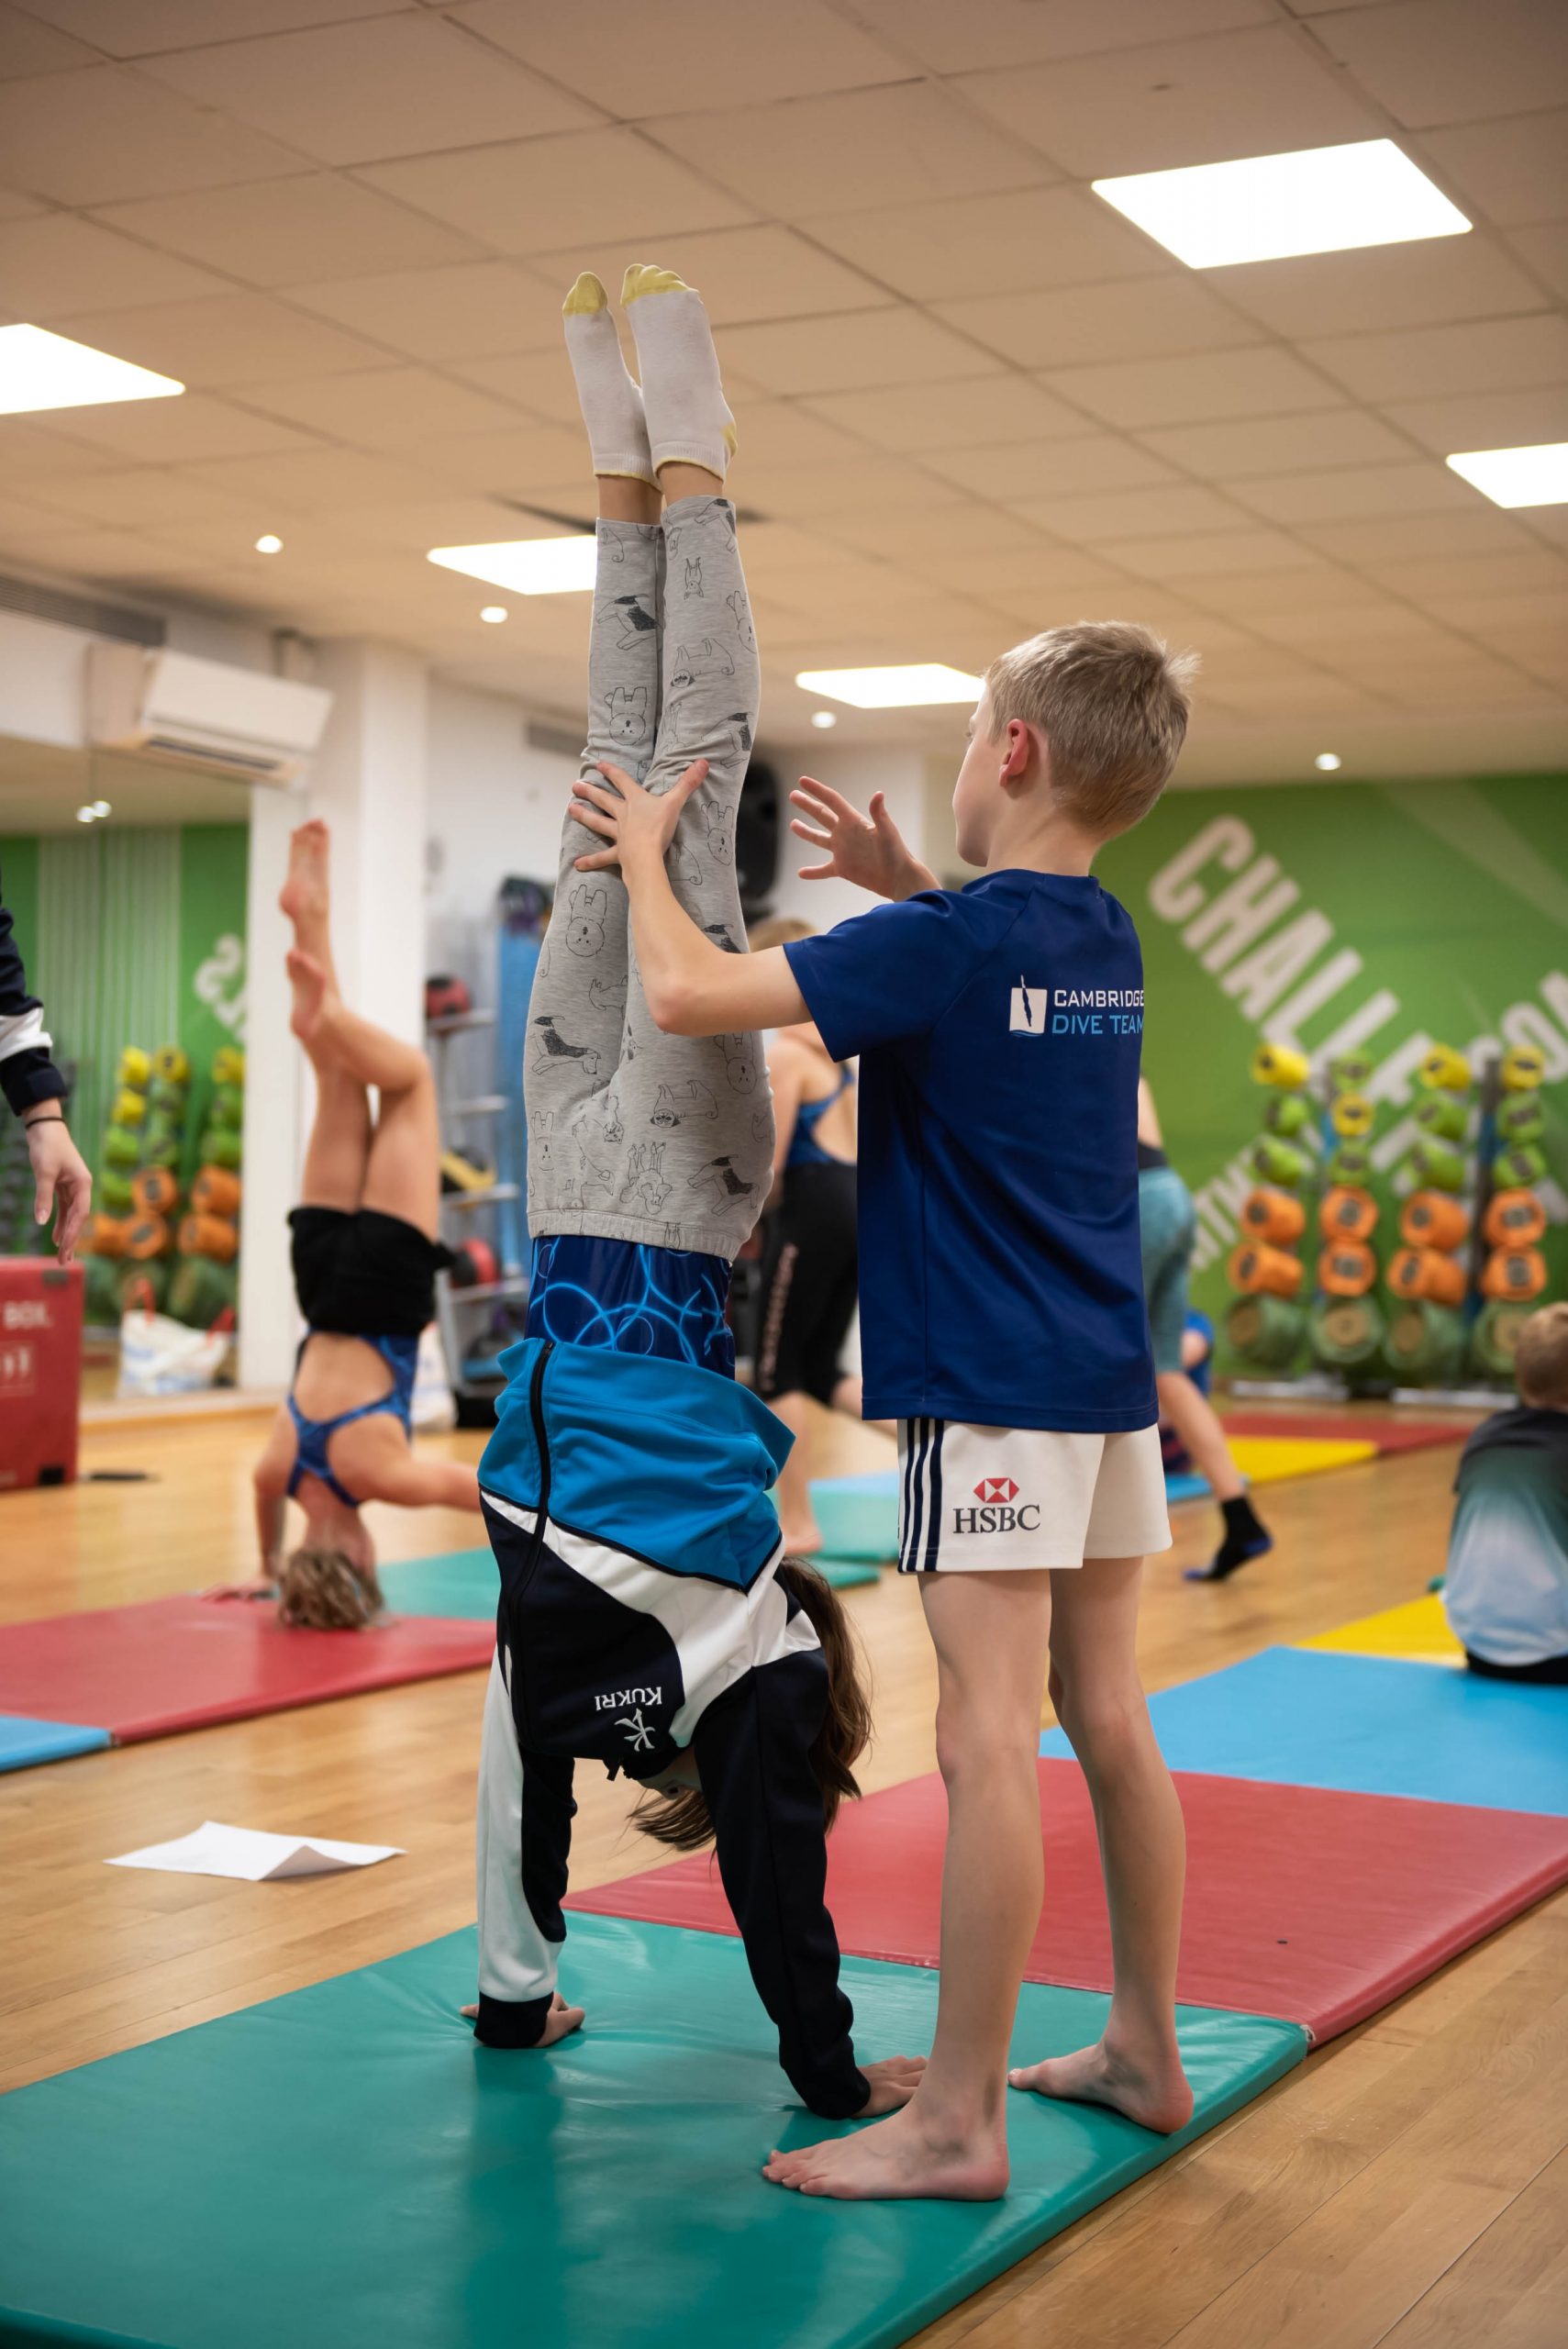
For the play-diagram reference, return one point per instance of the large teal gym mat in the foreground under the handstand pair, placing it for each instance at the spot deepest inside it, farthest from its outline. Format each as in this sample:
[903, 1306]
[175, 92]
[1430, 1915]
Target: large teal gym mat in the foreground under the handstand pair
[346, 2167]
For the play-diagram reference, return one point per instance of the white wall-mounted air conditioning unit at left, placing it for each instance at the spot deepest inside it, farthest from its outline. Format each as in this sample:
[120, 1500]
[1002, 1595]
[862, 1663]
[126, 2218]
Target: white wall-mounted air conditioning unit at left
[203, 713]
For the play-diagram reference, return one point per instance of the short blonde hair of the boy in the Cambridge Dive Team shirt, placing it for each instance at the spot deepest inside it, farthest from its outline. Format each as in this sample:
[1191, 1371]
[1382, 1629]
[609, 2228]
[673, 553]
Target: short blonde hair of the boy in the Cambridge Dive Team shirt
[1111, 704]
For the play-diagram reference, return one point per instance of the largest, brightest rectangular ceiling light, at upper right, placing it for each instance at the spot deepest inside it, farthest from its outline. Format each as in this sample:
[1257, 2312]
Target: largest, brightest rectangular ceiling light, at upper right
[1266, 208]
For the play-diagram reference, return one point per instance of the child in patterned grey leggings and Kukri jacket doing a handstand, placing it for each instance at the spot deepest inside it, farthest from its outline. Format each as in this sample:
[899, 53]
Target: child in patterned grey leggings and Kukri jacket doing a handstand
[649, 1617]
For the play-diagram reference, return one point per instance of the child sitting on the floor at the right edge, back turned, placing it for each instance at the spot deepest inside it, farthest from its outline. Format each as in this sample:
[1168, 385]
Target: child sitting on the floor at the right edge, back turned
[1508, 1547]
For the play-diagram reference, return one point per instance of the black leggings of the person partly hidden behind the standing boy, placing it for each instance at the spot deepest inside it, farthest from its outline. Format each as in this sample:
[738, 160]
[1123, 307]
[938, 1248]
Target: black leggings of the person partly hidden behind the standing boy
[811, 1284]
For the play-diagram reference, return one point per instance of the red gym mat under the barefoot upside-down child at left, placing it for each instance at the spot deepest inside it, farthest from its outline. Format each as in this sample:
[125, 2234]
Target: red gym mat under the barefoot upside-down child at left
[187, 1662]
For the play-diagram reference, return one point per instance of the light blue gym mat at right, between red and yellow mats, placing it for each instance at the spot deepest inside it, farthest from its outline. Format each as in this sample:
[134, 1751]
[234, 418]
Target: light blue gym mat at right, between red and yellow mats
[1367, 1725]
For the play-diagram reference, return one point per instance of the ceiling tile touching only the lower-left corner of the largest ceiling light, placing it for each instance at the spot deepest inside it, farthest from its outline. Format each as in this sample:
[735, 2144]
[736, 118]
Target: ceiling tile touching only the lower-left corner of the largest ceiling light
[1142, 318]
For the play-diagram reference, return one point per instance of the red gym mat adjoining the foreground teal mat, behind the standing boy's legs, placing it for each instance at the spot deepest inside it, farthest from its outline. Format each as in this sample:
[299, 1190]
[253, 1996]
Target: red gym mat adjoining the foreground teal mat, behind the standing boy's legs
[1302, 1904]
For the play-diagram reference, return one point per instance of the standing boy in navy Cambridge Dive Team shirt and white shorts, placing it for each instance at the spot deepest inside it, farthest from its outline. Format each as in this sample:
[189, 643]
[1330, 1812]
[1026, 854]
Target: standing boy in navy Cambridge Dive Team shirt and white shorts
[1003, 1328]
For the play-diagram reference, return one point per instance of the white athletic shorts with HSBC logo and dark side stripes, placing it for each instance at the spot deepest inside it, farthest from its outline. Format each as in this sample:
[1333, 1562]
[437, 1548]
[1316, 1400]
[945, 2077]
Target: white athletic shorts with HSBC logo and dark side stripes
[985, 1500]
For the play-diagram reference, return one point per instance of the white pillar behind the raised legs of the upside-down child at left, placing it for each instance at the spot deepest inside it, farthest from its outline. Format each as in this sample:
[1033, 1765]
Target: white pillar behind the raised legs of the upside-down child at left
[370, 786]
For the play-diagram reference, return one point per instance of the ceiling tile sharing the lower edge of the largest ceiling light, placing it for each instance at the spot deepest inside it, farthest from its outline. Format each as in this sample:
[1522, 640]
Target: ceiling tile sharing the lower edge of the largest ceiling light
[1393, 285]
